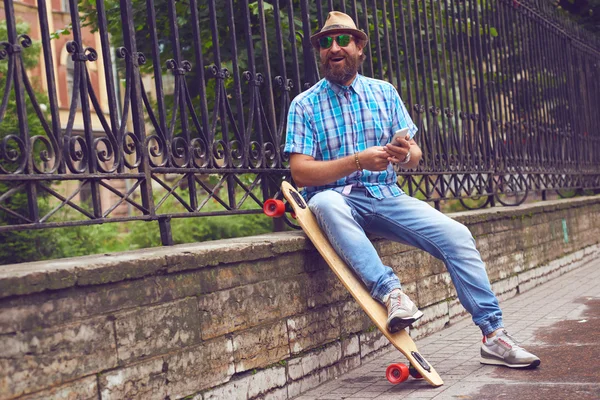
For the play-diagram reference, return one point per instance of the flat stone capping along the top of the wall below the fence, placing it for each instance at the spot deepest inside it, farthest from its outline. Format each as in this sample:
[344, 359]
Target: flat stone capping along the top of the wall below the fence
[28, 278]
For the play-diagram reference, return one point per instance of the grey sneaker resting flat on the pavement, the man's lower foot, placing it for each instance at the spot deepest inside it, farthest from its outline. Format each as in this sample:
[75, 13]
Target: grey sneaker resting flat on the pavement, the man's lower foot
[502, 349]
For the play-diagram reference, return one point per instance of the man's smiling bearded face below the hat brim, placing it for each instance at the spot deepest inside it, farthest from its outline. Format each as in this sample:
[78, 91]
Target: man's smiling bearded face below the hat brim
[340, 64]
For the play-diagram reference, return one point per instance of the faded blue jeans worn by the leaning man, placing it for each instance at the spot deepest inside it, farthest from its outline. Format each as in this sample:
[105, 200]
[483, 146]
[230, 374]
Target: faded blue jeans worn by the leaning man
[346, 219]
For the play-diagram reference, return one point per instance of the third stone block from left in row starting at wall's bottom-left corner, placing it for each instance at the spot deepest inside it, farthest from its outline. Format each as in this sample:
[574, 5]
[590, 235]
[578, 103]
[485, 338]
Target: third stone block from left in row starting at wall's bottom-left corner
[241, 308]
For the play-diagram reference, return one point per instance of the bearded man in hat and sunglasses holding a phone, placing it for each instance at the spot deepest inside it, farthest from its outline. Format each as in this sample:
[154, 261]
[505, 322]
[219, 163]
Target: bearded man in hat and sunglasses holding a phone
[338, 138]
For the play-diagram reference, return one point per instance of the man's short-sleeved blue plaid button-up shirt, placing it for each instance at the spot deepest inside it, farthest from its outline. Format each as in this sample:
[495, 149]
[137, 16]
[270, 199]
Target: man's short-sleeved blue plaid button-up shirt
[329, 121]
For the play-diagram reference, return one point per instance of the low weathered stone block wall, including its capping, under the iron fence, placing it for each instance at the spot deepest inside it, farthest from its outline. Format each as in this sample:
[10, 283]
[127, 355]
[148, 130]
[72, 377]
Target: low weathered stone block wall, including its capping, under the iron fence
[258, 317]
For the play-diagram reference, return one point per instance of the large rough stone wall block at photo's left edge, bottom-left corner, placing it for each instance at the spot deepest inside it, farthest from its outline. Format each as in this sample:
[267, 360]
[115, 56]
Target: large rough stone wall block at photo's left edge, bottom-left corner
[39, 359]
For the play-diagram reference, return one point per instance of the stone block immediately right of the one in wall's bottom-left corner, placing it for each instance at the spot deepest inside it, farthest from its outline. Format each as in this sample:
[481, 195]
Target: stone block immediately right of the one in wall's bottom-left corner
[149, 331]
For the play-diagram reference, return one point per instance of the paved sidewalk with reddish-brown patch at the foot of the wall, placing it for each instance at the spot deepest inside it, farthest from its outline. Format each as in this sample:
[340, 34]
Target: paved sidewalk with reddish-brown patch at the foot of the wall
[559, 321]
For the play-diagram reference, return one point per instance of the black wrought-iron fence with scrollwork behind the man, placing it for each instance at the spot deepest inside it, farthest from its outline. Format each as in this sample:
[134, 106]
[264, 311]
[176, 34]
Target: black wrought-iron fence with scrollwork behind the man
[505, 94]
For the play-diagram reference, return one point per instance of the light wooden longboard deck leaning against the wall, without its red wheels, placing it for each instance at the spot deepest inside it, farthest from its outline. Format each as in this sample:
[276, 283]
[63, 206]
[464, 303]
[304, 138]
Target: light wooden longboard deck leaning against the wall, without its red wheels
[375, 310]
